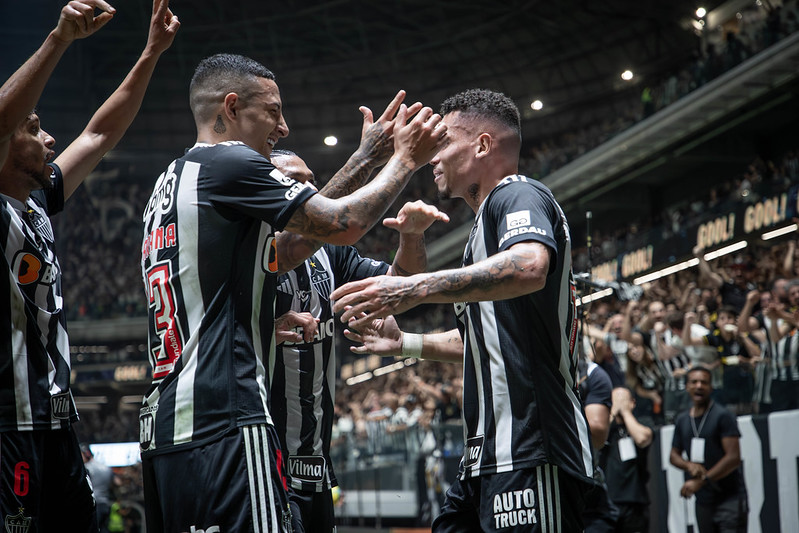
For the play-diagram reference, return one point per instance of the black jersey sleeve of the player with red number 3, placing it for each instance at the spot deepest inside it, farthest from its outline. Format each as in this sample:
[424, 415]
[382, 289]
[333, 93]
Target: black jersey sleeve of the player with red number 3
[245, 184]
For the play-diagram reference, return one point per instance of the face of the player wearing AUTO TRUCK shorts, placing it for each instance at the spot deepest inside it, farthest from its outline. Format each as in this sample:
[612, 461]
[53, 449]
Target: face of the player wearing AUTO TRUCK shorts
[453, 163]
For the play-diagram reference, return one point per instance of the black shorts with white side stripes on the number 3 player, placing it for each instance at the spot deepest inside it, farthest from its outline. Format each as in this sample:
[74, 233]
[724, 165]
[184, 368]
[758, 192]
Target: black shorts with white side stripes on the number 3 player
[236, 483]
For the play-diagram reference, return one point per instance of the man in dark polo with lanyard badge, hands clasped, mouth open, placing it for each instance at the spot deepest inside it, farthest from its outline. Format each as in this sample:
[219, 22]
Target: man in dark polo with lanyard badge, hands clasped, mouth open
[708, 434]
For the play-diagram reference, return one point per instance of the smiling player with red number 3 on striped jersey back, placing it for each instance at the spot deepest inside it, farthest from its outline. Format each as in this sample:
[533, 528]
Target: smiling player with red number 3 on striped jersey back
[210, 257]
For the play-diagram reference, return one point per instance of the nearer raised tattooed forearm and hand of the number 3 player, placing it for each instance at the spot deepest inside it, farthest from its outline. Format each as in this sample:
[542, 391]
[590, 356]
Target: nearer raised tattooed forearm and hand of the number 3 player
[345, 220]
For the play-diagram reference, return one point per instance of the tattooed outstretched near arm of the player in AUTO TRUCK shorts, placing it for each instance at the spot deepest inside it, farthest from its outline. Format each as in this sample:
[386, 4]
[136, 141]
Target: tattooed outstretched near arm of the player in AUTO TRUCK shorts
[521, 269]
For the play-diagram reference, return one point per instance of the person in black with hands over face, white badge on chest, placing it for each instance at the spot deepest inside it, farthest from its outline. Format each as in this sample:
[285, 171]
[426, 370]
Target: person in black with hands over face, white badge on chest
[624, 461]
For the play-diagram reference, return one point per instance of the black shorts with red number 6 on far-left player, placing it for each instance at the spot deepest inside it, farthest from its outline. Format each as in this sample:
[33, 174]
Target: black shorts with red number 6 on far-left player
[43, 482]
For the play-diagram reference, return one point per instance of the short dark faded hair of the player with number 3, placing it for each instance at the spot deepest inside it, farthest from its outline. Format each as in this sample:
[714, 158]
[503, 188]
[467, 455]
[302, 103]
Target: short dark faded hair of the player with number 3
[221, 74]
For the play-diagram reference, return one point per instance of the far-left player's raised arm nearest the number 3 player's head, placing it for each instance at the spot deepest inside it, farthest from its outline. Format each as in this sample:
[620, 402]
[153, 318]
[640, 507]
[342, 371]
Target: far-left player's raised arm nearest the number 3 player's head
[112, 120]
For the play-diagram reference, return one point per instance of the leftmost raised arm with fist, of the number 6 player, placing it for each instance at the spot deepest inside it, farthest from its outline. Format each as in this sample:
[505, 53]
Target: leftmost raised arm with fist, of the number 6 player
[19, 94]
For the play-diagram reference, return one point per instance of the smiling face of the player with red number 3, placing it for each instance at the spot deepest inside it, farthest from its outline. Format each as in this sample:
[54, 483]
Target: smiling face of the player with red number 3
[262, 122]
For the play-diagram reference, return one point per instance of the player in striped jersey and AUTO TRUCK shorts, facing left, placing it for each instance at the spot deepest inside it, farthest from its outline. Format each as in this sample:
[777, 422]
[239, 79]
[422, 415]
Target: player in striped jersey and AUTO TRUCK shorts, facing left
[527, 459]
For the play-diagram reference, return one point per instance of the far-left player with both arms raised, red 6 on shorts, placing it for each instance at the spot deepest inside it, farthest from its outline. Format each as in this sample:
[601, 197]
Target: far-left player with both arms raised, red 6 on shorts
[43, 481]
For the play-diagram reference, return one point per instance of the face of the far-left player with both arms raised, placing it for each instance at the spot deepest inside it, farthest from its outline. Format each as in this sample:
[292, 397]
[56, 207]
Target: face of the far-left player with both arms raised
[30, 151]
